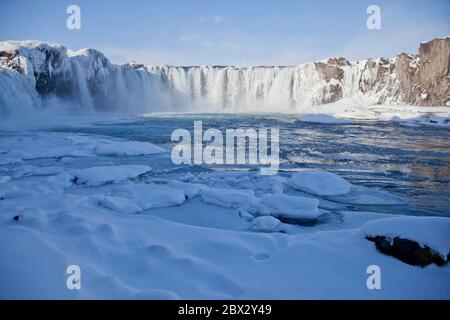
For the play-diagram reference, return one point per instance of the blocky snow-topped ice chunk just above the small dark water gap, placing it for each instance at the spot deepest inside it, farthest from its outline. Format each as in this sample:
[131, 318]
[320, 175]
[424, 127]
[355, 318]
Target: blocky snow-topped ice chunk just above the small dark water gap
[291, 207]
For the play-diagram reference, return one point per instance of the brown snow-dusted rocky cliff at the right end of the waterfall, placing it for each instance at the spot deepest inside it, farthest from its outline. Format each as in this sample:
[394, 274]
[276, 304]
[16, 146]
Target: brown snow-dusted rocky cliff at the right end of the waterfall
[422, 79]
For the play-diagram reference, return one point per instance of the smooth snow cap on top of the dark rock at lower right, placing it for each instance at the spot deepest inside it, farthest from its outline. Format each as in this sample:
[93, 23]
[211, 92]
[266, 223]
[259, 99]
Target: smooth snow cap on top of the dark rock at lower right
[431, 231]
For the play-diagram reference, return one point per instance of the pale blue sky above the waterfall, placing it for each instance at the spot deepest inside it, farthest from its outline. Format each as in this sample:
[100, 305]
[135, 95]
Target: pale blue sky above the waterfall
[245, 32]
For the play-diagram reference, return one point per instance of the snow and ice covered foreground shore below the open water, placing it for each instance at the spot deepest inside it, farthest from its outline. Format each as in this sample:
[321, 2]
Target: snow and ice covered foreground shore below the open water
[139, 229]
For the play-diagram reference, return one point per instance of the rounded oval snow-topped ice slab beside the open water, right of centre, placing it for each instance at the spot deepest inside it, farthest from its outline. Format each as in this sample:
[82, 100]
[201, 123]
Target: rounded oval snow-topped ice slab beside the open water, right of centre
[320, 183]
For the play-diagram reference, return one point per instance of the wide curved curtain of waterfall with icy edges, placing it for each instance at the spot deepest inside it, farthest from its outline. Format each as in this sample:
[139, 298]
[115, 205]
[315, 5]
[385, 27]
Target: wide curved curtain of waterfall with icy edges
[31, 73]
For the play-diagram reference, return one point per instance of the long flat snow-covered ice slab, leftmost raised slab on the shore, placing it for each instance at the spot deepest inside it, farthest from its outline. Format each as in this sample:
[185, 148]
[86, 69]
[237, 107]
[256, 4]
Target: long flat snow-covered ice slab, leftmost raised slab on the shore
[108, 174]
